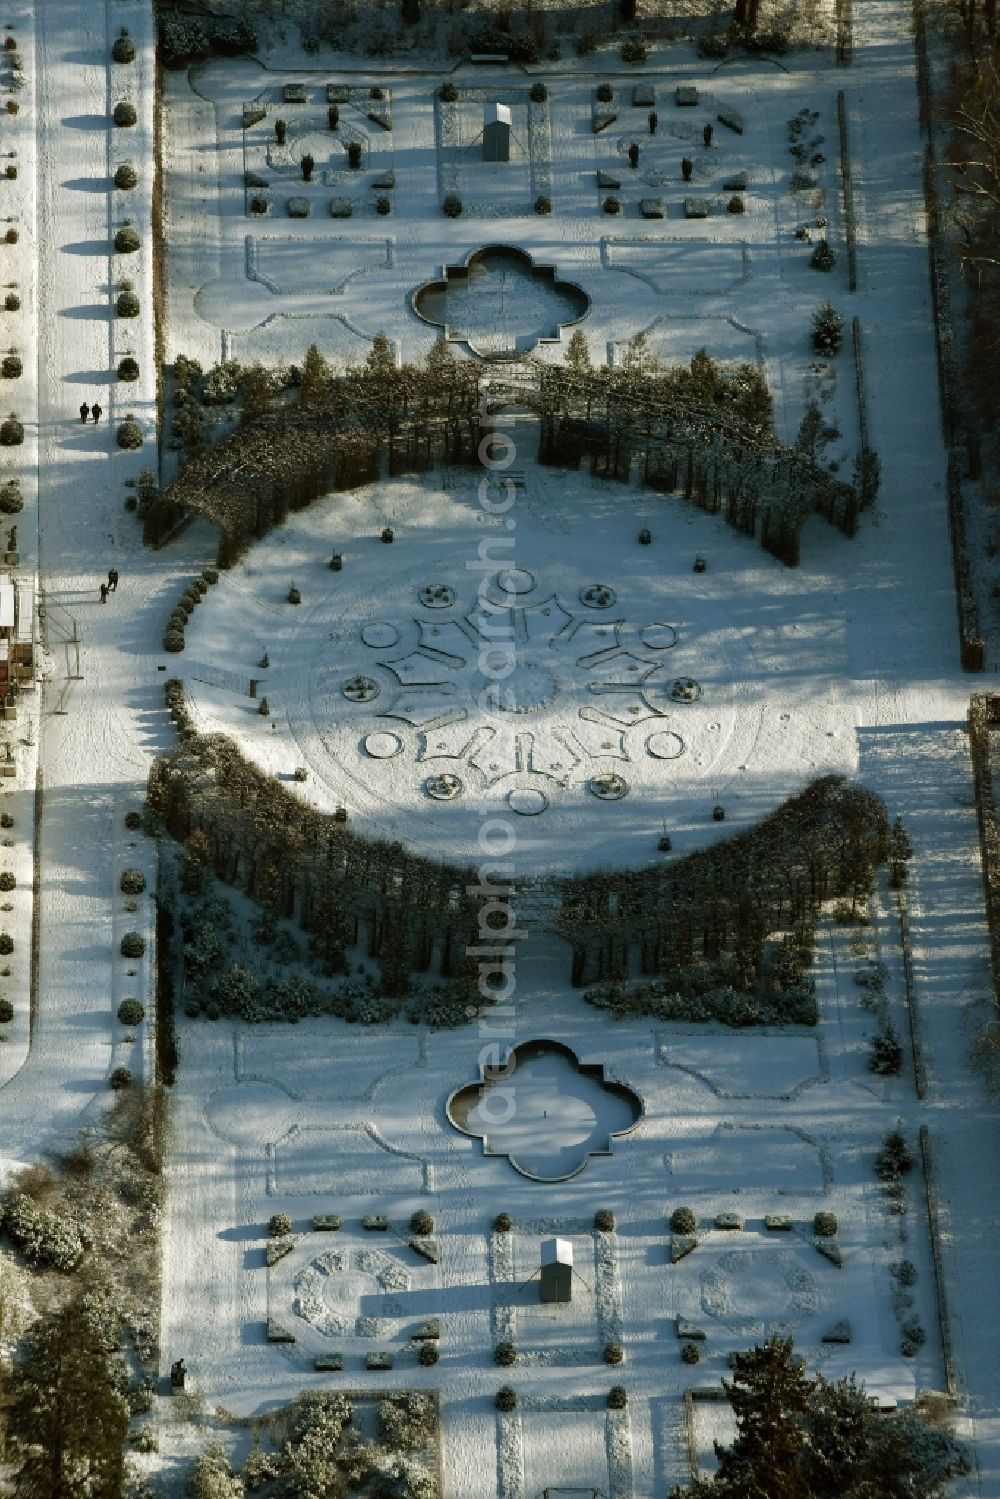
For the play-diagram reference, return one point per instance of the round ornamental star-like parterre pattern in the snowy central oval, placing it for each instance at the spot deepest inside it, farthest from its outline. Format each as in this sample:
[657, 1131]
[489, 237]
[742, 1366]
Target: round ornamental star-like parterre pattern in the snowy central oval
[566, 692]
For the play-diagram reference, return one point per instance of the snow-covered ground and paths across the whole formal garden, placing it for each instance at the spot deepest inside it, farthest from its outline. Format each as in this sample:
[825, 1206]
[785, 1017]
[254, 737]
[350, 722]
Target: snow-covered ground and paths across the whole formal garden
[641, 696]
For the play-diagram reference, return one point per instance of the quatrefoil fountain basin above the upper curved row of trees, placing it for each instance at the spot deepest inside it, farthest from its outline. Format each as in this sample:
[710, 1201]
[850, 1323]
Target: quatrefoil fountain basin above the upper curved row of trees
[501, 302]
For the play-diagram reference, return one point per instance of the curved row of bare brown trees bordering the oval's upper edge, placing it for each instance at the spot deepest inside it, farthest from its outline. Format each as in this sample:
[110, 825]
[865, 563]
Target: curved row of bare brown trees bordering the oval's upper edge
[699, 429]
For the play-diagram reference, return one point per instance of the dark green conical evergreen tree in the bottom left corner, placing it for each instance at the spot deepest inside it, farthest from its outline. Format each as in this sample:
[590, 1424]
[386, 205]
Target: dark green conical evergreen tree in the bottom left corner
[68, 1416]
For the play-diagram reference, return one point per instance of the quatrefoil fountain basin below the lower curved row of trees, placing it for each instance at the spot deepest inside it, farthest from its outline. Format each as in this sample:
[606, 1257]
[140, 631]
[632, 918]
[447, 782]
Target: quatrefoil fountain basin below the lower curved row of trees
[545, 1110]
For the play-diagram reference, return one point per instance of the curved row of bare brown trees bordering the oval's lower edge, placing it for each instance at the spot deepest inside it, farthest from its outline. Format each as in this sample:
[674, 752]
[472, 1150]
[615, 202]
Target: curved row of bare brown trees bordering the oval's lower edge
[302, 864]
